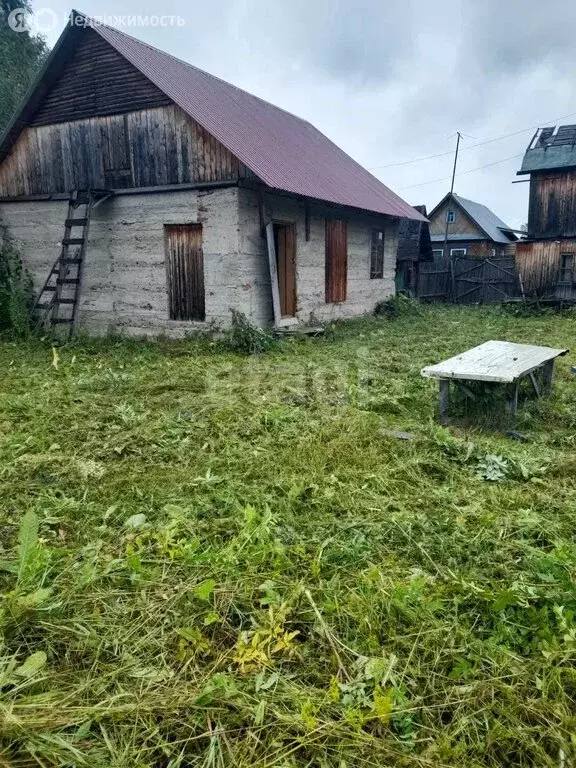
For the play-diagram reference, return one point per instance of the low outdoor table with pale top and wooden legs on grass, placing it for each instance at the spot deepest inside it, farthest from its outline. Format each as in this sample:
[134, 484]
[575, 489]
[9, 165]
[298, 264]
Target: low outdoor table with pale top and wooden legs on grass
[499, 362]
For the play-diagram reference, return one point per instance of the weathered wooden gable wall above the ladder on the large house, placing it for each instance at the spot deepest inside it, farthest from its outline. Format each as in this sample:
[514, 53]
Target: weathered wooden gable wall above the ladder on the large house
[104, 125]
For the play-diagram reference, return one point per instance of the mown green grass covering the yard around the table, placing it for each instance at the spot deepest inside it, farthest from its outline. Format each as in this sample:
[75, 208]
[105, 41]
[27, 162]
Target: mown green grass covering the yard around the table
[237, 565]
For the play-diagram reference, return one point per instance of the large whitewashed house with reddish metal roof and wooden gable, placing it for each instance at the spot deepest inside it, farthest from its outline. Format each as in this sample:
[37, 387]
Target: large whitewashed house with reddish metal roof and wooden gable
[148, 196]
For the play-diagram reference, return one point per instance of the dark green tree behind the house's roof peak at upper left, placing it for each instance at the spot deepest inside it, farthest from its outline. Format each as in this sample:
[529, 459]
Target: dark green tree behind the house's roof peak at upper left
[21, 56]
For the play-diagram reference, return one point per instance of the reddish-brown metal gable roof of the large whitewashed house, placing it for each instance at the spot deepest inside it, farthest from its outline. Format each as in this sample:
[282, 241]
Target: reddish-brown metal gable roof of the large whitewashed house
[284, 151]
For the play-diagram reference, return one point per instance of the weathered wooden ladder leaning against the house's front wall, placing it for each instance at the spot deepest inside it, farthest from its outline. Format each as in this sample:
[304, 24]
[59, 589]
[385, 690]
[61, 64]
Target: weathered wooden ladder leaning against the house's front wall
[58, 301]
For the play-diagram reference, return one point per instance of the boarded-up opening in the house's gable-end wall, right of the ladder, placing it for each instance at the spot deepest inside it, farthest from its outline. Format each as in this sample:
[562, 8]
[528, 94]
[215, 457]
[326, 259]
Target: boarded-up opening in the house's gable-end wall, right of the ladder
[185, 271]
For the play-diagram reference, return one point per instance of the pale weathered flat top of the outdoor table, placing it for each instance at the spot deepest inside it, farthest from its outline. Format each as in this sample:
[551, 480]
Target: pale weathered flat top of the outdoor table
[497, 361]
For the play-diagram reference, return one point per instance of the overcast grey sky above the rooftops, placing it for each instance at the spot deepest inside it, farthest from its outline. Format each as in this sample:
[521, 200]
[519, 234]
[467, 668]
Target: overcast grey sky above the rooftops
[390, 80]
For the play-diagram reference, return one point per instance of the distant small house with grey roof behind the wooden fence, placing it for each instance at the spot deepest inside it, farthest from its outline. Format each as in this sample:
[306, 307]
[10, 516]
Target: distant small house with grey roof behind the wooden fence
[473, 230]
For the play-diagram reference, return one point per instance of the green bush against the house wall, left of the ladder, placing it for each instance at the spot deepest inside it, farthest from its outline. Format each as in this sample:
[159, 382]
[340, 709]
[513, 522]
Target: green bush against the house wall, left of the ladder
[16, 291]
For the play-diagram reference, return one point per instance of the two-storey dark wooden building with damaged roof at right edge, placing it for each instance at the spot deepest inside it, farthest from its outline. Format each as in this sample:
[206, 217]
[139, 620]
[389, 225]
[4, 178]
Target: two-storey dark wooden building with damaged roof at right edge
[546, 258]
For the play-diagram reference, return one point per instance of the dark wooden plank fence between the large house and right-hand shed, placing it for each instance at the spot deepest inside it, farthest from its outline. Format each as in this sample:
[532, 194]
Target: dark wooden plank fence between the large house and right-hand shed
[468, 281]
